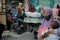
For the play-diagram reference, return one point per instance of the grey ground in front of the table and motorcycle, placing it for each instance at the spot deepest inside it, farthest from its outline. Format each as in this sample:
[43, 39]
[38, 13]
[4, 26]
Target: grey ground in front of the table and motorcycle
[14, 36]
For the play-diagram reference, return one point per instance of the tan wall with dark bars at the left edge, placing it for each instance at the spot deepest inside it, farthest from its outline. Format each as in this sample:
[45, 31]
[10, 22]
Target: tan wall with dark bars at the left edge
[2, 12]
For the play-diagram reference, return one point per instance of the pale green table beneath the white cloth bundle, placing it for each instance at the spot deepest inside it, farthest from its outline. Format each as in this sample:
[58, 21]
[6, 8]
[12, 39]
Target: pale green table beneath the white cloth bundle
[32, 20]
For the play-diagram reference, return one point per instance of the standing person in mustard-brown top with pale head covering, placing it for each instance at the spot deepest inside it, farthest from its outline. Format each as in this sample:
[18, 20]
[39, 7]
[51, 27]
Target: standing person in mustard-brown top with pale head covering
[21, 11]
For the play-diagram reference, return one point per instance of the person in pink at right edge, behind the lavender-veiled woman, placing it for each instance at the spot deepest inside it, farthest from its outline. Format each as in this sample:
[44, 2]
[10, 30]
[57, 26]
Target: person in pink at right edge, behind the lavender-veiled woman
[55, 12]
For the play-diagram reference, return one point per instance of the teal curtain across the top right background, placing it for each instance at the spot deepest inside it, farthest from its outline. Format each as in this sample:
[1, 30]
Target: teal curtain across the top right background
[48, 3]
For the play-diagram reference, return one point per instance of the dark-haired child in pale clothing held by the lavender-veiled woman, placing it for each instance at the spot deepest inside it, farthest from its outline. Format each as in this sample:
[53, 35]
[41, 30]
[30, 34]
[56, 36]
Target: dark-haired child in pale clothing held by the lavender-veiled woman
[53, 32]
